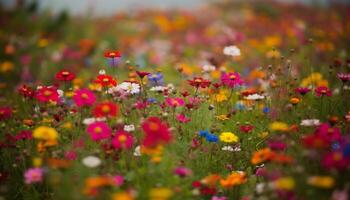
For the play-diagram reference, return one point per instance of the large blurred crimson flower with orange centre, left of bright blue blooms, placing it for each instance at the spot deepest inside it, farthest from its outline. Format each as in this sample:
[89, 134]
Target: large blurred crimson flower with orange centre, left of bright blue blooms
[156, 132]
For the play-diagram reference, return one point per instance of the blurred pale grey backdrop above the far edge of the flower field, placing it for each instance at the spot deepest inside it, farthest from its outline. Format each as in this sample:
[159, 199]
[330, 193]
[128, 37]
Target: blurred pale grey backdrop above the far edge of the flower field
[108, 7]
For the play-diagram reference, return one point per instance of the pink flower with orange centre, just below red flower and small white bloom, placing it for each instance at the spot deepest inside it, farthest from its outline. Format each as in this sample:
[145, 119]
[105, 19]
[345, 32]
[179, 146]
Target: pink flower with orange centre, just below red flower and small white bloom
[99, 131]
